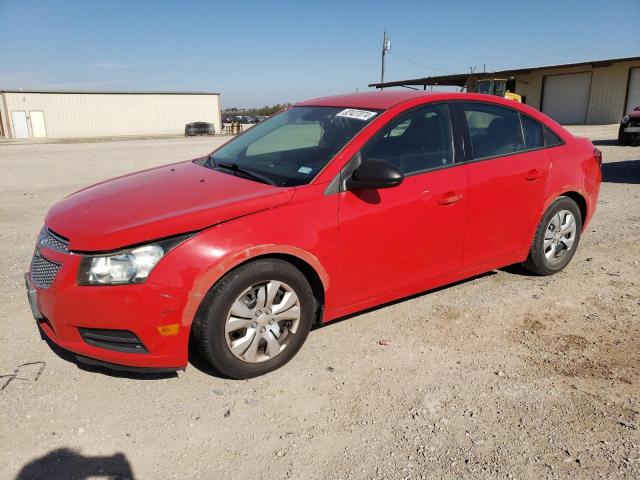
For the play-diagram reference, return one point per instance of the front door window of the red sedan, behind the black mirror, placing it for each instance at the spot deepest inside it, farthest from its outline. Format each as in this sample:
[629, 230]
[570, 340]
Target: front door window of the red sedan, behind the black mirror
[416, 141]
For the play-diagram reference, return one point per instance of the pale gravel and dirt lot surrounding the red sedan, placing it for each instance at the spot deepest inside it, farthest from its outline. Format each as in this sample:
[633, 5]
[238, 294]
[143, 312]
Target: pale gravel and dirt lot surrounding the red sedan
[502, 376]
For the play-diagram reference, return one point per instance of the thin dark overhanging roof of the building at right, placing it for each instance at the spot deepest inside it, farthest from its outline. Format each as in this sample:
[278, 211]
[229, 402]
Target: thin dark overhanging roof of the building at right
[460, 79]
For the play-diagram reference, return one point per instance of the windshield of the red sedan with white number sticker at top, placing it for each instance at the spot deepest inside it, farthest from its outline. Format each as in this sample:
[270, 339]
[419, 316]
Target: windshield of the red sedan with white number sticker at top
[290, 148]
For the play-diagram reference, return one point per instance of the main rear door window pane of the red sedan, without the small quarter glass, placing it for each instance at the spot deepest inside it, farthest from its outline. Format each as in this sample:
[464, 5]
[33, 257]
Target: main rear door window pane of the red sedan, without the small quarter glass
[494, 130]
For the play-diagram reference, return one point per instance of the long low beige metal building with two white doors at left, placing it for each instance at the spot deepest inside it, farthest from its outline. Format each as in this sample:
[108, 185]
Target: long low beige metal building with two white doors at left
[60, 114]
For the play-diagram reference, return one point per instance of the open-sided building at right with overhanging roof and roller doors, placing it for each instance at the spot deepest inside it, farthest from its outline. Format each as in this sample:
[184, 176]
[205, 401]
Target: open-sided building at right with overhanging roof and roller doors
[596, 92]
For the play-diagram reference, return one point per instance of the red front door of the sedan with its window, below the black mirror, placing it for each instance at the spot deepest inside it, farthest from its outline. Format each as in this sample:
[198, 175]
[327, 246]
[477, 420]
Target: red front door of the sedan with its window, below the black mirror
[394, 238]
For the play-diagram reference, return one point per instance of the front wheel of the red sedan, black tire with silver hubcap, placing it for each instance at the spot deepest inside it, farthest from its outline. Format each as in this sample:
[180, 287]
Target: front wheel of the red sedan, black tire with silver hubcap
[210, 325]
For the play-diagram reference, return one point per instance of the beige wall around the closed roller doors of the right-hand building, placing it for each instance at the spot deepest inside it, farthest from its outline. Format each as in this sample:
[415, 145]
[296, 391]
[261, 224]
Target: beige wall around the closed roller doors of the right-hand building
[608, 89]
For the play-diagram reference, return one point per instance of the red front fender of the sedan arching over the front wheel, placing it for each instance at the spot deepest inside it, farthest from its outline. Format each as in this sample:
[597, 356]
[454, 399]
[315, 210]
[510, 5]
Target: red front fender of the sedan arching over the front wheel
[306, 230]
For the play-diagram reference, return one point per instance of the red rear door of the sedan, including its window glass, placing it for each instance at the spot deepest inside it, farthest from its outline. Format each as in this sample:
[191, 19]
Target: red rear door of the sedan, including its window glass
[508, 170]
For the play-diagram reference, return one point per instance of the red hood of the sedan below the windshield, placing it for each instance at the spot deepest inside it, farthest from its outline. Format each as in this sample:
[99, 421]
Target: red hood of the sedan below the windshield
[157, 203]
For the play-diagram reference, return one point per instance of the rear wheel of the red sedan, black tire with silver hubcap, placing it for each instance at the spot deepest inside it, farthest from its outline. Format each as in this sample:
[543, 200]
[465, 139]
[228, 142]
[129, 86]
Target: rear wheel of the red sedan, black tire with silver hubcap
[538, 261]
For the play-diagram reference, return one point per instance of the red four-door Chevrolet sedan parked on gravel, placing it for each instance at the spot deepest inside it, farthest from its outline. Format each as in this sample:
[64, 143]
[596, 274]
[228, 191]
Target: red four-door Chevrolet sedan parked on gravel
[330, 207]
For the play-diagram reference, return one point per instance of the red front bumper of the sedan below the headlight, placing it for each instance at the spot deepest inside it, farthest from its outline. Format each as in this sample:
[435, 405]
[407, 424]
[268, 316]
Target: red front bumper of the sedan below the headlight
[64, 308]
